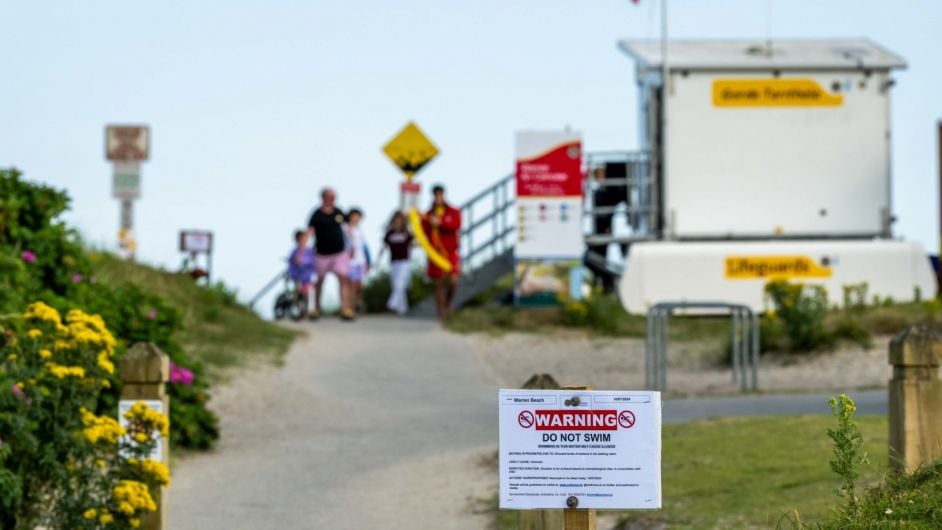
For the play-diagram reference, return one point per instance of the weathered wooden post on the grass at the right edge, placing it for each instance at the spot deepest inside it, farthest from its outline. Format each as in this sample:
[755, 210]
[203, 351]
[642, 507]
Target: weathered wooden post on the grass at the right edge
[915, 397]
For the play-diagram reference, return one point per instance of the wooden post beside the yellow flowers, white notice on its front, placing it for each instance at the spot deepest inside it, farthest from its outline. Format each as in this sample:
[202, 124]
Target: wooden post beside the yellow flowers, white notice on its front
[144, 372]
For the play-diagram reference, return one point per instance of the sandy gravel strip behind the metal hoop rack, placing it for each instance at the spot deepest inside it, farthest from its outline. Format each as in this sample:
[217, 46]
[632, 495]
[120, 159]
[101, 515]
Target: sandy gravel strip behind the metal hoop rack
[618, 363]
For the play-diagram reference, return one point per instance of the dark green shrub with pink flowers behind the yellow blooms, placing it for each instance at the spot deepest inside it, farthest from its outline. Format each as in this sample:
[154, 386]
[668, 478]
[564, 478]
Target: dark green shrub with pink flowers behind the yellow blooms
[41, 258]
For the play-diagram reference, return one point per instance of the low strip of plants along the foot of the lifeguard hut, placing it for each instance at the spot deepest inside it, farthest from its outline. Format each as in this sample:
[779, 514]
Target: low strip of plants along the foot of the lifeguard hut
[799, 321]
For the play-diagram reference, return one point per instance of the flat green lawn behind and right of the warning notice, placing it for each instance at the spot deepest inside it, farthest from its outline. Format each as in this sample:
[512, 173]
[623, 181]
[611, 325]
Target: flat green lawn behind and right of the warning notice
[749, 473]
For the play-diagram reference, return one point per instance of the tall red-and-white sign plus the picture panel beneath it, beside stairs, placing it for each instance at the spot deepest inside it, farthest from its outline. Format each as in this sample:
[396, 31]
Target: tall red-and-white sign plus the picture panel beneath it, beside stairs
[550, 241]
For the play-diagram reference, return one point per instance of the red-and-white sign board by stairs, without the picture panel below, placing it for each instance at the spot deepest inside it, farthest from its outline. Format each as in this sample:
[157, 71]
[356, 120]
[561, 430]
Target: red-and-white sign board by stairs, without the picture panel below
[549, 195]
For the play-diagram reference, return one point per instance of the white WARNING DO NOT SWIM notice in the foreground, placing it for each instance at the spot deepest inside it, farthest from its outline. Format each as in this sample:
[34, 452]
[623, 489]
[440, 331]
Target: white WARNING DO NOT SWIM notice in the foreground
[601, 447]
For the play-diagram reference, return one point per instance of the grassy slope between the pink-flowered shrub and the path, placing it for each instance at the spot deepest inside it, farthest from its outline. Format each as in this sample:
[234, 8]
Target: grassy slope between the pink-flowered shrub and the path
[217, 330]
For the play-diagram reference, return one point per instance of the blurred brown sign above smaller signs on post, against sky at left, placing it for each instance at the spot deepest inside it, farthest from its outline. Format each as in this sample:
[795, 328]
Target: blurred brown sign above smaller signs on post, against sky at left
[126, 146]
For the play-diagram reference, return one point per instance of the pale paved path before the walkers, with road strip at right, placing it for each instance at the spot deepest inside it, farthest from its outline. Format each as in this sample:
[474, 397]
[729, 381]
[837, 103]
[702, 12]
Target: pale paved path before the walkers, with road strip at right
[378, 424]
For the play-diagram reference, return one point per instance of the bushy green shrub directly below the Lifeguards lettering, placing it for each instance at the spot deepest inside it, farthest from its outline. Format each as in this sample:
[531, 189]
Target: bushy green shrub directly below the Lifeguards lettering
[801, 308]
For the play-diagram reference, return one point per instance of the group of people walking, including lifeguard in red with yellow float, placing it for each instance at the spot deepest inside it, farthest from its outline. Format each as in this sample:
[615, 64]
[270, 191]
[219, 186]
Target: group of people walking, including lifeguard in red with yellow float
[340, 248]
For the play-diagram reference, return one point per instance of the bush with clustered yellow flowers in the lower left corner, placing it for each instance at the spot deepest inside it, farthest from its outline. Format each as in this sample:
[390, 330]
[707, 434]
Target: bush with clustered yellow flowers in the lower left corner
[61, 465]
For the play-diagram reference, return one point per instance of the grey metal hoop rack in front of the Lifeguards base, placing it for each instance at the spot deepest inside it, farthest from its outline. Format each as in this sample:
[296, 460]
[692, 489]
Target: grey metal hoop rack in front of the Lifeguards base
[744, 337]
